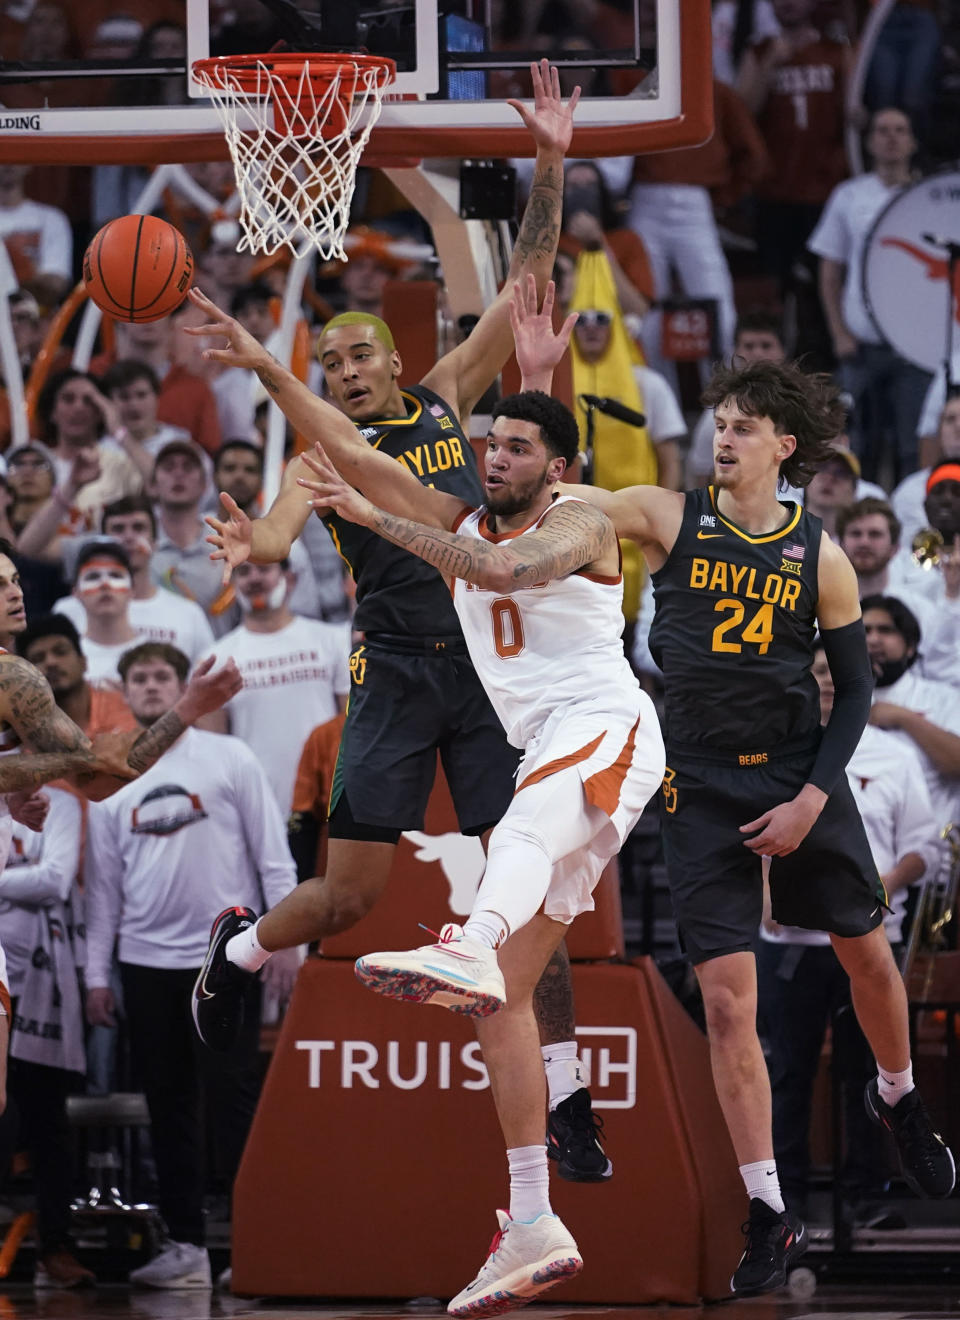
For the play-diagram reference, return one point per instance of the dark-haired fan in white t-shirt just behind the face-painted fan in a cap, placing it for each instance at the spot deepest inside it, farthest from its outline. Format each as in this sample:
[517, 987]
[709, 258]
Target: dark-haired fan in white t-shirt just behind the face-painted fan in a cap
[155, 614]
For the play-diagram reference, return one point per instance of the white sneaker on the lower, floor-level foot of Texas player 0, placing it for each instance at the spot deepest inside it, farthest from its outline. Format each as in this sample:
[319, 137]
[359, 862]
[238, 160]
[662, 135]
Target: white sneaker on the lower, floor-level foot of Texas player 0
[525, 1261]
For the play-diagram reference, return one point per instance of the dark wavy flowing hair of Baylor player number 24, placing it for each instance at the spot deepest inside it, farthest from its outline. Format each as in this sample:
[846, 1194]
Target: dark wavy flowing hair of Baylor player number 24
[798, 403]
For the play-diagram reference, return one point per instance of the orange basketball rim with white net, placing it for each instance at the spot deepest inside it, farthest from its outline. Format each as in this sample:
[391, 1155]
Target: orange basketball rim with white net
[296, 126]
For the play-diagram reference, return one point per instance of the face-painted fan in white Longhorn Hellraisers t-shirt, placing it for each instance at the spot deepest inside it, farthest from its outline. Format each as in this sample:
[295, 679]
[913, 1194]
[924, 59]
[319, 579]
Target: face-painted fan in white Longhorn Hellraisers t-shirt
[295, 674]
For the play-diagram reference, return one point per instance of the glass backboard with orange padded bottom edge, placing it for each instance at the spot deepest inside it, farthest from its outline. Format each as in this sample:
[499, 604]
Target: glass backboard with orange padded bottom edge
[110, 82]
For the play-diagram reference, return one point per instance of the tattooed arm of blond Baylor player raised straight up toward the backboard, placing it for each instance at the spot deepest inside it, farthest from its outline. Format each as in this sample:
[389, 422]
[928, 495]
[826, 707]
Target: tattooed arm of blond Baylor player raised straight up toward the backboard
[463, 376]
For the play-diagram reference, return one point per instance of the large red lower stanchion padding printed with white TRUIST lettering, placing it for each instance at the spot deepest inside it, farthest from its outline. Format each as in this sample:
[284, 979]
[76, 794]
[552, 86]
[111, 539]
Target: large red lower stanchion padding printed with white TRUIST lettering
[374, 1165]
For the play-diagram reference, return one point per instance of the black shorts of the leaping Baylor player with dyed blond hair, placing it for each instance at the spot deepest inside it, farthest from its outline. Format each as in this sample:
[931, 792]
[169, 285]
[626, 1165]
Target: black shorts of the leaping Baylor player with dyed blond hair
[407, 706]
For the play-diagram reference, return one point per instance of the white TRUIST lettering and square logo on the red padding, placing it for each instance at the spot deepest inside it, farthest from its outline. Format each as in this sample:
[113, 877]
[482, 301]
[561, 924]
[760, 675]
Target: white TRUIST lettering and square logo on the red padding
[609, 1054]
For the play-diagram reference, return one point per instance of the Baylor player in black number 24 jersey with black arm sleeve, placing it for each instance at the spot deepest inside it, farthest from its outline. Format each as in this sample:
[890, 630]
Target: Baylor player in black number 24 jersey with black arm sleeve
[743, 584]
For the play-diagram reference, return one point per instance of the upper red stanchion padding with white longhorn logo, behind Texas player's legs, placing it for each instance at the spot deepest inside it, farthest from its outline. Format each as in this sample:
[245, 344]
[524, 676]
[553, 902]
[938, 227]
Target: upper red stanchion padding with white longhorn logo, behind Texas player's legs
[435, 878]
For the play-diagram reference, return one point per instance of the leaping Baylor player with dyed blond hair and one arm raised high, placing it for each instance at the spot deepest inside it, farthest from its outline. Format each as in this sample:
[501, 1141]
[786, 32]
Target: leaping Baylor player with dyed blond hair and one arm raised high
[414, 691]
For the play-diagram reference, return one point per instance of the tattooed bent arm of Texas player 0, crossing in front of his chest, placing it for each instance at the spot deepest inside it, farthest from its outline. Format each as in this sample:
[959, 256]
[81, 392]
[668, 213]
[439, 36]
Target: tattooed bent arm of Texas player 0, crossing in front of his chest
[572, 538]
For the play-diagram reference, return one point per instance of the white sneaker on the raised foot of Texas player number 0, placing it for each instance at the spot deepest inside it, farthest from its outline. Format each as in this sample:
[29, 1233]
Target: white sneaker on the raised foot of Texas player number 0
[456, 973]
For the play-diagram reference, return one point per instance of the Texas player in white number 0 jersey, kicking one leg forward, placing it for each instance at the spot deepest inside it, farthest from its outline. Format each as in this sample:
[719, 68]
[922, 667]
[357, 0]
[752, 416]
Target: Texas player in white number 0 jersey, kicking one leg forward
[537, 585]
